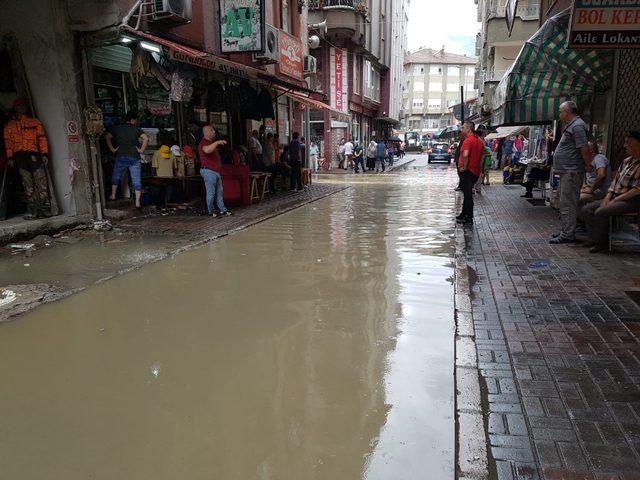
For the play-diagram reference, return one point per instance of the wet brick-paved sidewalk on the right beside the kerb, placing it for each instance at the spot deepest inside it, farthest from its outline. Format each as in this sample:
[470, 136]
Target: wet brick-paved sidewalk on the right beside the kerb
[558, 346]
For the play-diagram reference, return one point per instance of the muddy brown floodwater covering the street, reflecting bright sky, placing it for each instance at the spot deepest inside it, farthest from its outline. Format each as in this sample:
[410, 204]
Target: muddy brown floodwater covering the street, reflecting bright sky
[316, 345]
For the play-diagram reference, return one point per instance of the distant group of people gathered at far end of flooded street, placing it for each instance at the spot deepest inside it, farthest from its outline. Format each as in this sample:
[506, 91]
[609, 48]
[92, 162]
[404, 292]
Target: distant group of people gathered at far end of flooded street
[351, 155]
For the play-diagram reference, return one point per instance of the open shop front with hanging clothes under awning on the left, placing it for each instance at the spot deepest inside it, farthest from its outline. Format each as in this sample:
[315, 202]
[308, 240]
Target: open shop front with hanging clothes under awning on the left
[175, 91]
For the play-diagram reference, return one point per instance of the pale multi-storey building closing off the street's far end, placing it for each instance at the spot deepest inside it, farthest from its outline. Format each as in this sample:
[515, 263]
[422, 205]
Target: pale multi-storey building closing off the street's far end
[432, 86]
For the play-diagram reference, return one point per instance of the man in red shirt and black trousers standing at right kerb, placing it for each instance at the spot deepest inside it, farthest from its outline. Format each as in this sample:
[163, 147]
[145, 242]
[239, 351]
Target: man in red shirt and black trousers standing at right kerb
[469, 164]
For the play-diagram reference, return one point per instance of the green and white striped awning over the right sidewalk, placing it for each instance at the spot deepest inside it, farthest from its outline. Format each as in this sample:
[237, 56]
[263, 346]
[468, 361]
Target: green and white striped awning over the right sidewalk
[547, 73]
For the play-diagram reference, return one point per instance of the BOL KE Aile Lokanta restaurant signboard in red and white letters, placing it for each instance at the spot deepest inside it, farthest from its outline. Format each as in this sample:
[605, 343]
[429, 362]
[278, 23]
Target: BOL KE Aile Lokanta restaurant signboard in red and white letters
[612, 24]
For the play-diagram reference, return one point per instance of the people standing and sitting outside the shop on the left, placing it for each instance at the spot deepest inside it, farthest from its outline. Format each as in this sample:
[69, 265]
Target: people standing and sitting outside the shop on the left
[128, 142]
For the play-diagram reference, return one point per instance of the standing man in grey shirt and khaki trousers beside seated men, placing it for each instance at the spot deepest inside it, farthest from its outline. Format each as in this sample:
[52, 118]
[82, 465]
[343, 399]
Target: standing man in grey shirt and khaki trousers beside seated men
[570, 160]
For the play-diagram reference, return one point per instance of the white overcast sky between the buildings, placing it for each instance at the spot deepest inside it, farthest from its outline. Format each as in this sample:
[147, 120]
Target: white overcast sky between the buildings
[452, 23]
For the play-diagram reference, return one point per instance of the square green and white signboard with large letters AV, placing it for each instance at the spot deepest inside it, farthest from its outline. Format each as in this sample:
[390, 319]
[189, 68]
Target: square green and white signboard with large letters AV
[242, 26]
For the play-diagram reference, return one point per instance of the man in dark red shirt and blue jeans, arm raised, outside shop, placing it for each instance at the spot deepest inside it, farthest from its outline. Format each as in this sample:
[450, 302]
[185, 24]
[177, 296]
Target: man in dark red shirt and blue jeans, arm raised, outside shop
[209, 169]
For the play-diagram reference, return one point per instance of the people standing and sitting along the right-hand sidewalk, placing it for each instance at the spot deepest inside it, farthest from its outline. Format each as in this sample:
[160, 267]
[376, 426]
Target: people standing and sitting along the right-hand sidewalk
[590, 193]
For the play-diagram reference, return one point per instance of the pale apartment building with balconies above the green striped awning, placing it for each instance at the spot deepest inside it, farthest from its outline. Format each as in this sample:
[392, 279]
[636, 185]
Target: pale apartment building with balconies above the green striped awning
[496, 47]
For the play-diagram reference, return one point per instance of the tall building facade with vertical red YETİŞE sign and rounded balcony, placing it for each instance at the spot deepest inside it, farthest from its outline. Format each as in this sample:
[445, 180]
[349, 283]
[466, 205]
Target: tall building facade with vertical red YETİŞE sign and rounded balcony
[357, 69]
